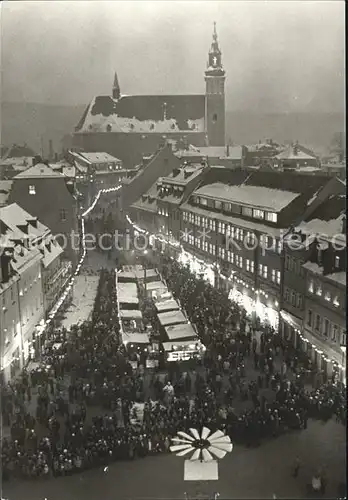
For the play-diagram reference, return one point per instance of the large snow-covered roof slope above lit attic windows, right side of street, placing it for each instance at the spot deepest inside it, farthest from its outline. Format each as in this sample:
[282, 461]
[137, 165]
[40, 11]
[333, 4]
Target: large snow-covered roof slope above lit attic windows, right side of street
[255, 196]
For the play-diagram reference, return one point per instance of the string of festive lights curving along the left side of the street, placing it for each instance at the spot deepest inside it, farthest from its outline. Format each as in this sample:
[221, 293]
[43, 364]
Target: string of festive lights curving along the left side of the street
[42, 327]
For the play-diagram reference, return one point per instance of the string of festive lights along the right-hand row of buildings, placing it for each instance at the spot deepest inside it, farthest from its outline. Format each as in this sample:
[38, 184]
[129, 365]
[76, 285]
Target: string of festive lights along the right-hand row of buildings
[236, 280]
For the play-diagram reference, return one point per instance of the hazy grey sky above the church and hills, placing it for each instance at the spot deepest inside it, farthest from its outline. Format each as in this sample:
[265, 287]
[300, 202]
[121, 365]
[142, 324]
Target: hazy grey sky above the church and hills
[279, 55]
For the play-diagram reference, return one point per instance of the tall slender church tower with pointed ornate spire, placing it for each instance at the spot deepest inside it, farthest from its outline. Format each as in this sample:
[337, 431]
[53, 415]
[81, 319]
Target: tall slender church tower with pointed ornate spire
[215, 95]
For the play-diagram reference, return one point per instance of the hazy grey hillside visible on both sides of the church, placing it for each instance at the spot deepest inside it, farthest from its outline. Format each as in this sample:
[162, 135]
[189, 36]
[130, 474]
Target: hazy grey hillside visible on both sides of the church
[28, 122]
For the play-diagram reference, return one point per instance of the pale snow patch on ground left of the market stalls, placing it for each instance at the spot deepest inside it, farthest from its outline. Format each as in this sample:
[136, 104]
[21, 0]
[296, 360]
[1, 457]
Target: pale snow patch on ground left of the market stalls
[84, 293]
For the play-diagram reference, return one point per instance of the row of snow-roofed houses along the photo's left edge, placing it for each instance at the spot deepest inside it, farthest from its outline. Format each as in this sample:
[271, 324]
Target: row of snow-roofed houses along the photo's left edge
[32, 278]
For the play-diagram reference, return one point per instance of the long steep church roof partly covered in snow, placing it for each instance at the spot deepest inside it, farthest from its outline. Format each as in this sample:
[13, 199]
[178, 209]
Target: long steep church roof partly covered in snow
[157, 114]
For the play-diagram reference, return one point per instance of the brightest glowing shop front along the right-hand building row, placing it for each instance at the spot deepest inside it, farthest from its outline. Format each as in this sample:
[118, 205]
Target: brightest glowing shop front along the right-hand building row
[255, 307]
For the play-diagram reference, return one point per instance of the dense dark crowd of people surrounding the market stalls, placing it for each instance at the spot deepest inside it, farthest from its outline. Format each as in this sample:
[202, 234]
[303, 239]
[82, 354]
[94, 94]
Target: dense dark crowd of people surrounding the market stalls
[89, 367]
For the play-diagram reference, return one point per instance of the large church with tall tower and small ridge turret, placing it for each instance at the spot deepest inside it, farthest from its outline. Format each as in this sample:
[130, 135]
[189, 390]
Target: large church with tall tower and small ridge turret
[130, 127]
